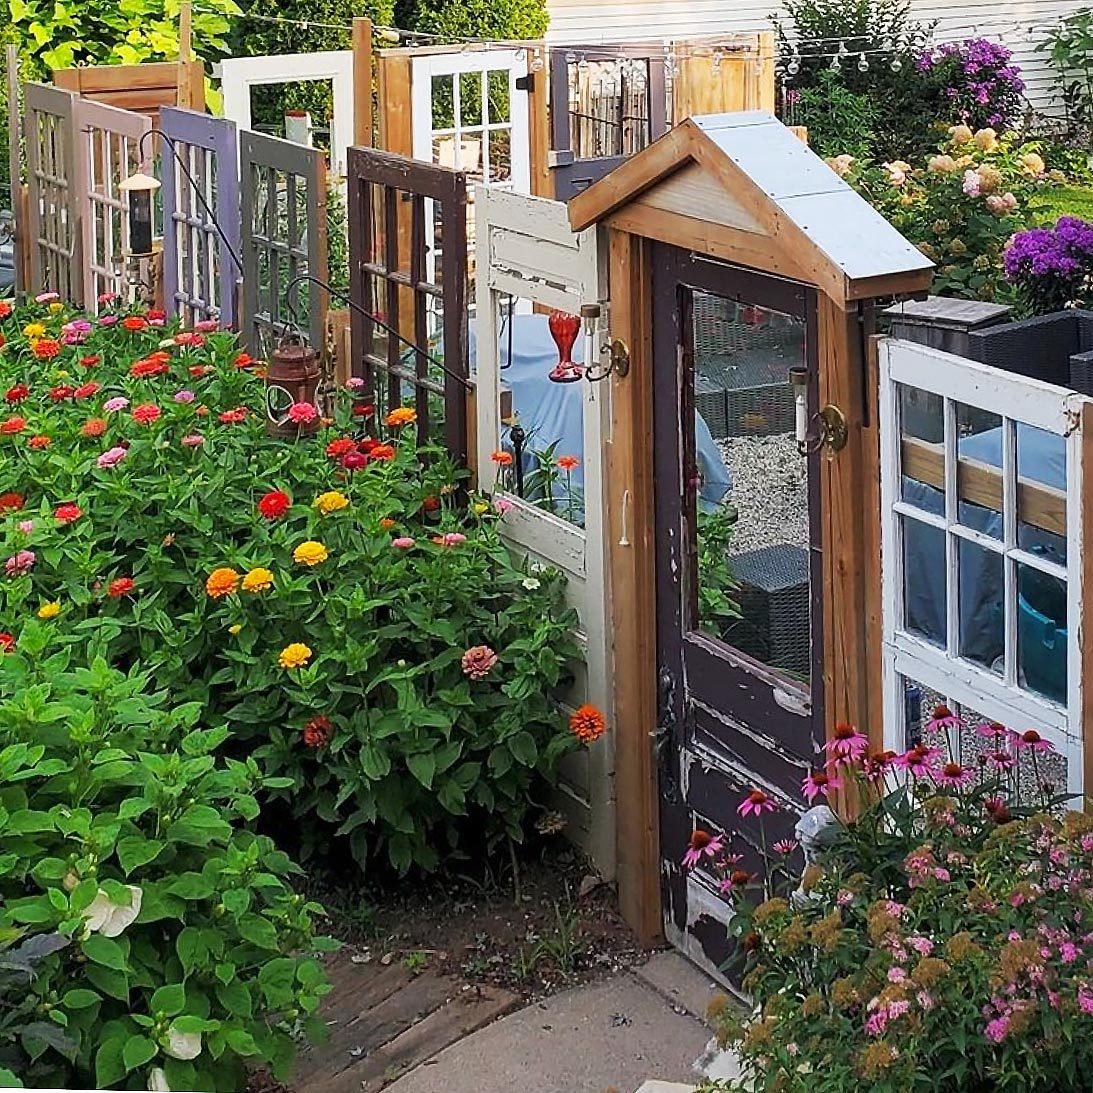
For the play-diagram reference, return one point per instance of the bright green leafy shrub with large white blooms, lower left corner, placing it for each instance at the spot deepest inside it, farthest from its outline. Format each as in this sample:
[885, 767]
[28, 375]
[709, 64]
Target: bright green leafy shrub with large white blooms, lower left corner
[125, 830]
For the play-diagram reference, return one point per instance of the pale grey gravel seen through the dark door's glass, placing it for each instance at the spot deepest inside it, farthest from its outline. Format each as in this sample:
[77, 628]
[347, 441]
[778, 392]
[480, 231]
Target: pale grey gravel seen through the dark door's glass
[769, 491]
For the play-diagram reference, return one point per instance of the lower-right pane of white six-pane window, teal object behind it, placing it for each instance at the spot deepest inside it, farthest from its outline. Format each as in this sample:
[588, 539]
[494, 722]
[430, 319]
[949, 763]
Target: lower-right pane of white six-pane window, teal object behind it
[1042, 633]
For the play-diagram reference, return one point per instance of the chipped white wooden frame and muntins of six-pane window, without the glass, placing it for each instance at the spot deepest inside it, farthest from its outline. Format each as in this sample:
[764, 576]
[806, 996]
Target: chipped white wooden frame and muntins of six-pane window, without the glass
[1016, 401]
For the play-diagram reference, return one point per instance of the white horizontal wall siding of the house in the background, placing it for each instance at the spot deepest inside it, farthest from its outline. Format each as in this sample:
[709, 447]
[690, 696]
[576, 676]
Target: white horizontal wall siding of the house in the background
[1008, 21]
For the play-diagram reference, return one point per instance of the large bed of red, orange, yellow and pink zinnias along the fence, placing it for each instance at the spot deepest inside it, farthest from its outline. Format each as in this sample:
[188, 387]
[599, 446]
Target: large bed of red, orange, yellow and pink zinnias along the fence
[337, 603]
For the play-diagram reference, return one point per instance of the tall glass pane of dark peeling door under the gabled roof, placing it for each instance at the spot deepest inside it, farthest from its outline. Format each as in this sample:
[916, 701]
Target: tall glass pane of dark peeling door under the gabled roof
[748, 485]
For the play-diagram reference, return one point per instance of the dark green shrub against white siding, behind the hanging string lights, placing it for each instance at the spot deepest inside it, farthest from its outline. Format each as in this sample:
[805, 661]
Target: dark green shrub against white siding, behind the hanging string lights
[904, 101]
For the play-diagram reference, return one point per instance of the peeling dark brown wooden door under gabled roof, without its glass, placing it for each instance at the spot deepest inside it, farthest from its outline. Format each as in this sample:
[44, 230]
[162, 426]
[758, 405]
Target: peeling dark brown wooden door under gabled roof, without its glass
[692, 667]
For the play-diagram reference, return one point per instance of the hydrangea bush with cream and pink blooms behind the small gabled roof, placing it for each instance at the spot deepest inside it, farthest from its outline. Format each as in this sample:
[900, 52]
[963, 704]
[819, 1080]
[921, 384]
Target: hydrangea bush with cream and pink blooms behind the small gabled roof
[962, 205]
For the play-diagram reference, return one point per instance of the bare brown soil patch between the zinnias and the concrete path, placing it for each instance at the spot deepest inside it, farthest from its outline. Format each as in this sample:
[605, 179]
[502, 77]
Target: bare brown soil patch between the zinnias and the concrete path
[563, 931]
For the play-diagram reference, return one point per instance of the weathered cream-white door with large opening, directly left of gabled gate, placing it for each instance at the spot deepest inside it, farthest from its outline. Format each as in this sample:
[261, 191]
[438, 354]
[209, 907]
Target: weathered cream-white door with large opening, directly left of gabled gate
[528, 255]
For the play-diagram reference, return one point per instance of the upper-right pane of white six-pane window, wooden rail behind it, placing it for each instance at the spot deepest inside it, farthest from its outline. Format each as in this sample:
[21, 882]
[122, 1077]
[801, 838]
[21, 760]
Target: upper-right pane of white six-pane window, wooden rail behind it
[1042, 493]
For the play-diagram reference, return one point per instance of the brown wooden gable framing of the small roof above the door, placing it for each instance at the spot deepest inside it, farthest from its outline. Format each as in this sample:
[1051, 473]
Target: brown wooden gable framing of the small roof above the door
[746, 227]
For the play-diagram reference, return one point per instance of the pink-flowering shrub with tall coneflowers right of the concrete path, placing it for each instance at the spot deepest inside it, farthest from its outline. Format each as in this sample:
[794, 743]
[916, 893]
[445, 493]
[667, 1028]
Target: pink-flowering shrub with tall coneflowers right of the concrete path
[943, 942]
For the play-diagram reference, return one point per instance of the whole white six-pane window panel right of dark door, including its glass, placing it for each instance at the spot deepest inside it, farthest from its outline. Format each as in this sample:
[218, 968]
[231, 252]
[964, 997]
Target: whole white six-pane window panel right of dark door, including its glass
[982, 550]
